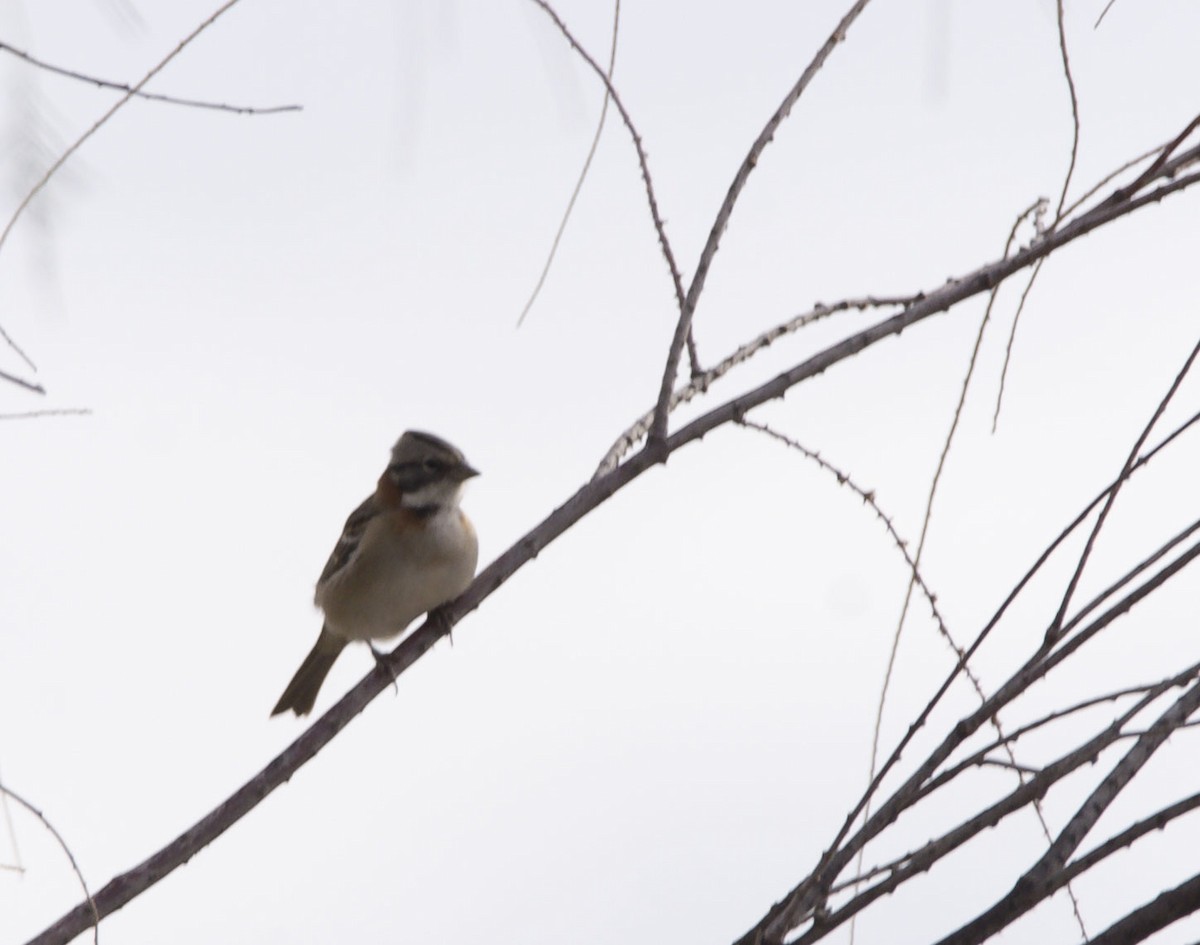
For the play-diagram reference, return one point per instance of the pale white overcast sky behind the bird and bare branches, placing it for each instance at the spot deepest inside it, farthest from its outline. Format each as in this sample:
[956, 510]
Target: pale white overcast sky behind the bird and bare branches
[652, 732]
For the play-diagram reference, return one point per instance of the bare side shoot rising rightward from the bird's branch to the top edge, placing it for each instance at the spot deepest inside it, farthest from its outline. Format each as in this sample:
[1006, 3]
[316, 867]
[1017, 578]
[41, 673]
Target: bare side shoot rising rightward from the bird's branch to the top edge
[688, 308]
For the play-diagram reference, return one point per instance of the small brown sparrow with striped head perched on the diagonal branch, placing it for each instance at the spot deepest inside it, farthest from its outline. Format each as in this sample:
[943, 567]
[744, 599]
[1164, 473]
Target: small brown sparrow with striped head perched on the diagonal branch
[406, 550]
